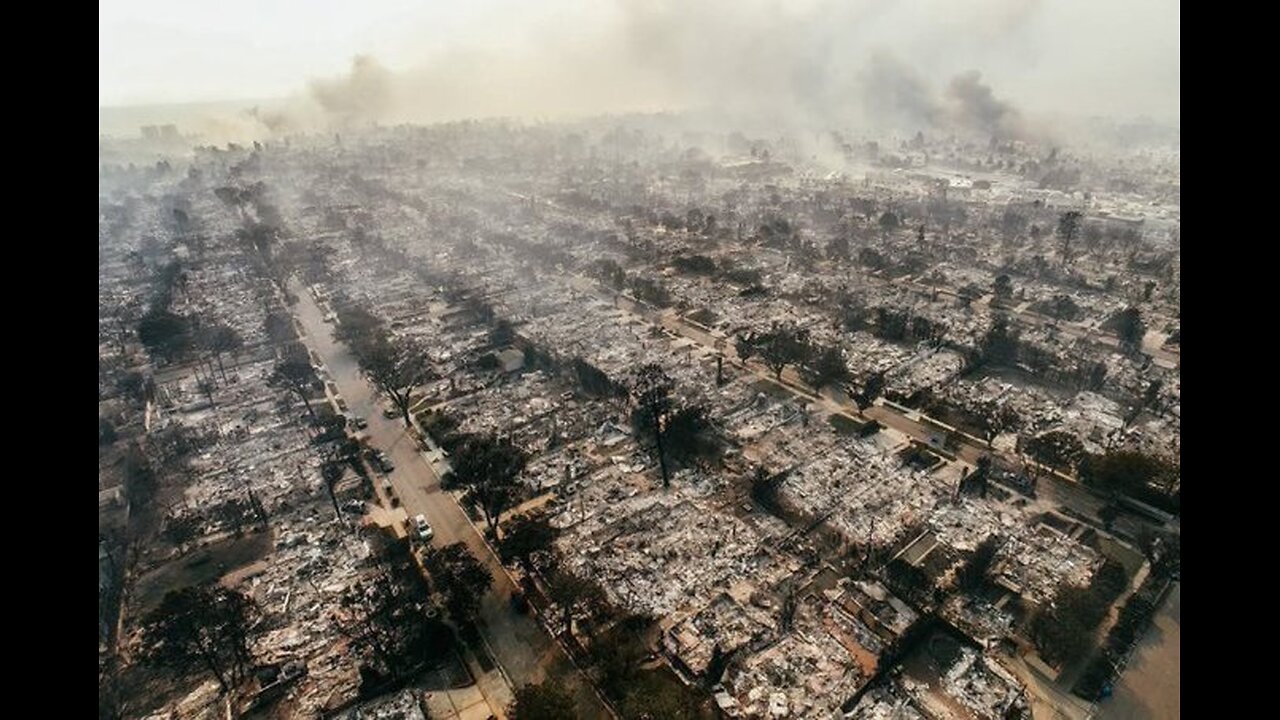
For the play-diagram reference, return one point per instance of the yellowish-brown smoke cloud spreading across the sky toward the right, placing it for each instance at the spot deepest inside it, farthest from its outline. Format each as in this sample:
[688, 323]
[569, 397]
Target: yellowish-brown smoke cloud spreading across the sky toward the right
[982, 67]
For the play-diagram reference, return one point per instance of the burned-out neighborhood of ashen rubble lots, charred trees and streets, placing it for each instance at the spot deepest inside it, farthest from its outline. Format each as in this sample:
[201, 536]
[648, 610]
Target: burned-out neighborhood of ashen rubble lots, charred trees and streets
[676, 414]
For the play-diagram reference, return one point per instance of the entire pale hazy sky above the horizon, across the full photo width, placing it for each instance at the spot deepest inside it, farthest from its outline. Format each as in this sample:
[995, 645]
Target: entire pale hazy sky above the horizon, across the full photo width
[1108, 57]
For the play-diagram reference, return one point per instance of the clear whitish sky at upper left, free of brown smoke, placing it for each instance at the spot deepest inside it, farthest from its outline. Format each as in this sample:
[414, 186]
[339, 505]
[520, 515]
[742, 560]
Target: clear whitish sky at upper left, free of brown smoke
[190, 51]
